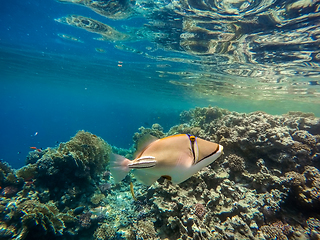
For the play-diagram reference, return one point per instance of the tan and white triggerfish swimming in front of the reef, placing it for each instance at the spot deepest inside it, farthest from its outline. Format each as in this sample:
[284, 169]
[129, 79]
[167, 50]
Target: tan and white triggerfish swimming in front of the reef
[176, 158]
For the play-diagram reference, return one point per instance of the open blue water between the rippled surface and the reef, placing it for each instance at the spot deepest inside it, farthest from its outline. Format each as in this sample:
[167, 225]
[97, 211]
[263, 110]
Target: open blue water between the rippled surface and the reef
[54, 87]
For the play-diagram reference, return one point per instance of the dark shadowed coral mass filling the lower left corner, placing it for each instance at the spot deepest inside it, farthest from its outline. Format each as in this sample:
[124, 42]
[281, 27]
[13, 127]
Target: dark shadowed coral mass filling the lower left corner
[44, 197]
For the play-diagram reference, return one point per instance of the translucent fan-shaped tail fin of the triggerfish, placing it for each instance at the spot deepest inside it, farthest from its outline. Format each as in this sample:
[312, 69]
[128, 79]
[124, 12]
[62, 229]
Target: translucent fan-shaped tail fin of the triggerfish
[119, 167]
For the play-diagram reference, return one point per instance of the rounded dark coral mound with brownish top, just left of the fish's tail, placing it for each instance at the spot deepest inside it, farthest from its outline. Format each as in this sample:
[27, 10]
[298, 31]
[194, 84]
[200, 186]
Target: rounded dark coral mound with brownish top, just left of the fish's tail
[69, 170]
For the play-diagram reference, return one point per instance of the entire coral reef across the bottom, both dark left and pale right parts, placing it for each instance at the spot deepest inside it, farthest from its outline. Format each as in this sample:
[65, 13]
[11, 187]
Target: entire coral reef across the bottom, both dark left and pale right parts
[269, 167]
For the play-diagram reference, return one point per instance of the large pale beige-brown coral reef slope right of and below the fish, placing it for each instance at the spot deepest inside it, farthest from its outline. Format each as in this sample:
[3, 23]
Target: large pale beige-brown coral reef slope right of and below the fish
[268, 162]
